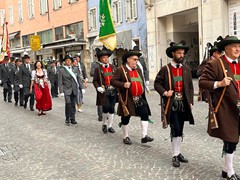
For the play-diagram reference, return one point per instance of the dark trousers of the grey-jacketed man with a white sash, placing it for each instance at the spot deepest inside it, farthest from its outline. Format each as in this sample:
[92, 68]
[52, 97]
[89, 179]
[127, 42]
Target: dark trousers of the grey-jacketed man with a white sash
[70, 108]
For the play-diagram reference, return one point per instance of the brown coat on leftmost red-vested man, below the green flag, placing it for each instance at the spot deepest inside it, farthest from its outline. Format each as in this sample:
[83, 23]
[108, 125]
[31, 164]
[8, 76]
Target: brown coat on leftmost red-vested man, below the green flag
[98, 81]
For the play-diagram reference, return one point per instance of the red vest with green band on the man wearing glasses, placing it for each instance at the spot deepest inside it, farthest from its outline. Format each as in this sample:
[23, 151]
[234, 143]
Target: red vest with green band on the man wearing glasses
[136, 83]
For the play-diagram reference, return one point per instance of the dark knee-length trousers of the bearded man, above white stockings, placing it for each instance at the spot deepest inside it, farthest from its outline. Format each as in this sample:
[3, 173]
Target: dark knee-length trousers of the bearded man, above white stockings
[176, 123]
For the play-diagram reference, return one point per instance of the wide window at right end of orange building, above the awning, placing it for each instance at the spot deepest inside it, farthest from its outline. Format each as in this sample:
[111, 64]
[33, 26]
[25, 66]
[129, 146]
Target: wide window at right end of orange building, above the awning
[75, 31]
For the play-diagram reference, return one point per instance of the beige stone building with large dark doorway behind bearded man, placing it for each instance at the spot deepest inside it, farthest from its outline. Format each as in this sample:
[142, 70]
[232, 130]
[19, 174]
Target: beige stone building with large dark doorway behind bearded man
[196, 21]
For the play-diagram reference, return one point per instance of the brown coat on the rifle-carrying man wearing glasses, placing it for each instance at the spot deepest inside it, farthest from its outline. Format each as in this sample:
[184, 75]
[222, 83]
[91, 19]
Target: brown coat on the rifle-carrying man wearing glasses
[118, 81]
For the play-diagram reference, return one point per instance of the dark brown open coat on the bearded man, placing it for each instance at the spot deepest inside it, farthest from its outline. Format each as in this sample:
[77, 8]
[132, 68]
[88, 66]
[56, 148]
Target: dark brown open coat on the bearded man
[161, 84]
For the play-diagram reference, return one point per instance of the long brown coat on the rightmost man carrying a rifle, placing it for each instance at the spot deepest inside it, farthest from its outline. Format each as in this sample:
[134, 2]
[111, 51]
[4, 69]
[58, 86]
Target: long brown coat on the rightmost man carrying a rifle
[227, 115]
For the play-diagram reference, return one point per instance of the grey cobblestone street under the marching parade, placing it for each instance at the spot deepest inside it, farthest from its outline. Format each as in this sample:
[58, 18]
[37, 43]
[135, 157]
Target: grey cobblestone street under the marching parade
[34, 147]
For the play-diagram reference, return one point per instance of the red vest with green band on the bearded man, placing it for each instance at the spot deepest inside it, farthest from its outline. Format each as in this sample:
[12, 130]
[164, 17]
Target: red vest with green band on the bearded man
[177, 77]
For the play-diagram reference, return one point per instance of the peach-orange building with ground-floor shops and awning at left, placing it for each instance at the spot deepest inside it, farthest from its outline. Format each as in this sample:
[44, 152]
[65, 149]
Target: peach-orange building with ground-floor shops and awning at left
[61, 25]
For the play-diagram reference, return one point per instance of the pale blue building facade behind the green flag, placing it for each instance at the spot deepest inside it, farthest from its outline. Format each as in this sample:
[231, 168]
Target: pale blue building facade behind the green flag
[129, 17]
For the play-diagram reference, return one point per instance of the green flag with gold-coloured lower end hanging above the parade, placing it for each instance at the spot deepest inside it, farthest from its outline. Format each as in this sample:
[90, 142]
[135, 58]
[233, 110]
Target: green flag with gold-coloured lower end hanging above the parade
[107, 34]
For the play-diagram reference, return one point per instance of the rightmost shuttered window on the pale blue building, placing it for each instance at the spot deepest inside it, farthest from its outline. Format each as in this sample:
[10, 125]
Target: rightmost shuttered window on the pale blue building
[131, 9]
